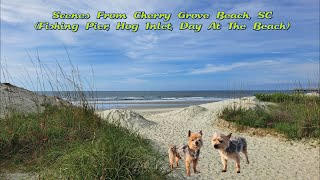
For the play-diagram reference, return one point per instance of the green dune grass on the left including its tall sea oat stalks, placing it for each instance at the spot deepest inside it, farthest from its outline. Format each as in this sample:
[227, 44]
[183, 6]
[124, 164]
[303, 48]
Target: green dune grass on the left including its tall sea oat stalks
[71, 141]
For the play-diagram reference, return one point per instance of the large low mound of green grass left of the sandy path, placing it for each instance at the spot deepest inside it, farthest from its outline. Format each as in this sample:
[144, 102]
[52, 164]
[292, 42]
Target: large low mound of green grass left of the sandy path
[74, 143]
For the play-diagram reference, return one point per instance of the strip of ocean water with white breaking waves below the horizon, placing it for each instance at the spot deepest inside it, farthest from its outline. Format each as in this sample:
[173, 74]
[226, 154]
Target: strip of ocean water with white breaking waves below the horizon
[146, 99]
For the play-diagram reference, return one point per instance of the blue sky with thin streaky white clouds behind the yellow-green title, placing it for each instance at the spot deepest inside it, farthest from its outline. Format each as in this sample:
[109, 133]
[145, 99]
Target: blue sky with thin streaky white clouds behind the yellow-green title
[166, 60]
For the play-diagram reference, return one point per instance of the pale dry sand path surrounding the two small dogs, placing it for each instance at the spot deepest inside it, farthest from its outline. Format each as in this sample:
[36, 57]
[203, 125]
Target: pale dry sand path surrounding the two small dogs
[270, 157]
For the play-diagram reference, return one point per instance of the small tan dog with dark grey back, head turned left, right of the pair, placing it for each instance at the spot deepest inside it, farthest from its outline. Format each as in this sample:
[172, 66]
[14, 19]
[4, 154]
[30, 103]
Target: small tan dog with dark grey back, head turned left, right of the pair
[230, 148]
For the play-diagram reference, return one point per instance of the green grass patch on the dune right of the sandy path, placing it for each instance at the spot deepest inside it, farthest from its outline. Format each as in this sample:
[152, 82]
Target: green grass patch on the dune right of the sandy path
[296, 116]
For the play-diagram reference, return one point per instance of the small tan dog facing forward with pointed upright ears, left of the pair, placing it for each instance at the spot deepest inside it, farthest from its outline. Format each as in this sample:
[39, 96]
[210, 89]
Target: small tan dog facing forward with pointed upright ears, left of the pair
[189, 152]
